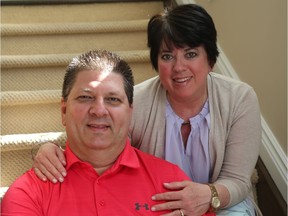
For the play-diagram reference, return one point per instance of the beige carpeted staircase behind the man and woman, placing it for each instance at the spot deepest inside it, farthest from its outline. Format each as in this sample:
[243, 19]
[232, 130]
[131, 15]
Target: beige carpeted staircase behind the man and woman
[38, 42]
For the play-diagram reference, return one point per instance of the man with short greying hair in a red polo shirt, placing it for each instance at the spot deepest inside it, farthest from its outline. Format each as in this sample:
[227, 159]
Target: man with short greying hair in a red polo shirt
[106, 175]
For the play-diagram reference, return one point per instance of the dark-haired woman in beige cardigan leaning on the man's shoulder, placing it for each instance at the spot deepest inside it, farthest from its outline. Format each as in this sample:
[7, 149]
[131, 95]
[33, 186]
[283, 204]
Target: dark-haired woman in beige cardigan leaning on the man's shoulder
[207, 124]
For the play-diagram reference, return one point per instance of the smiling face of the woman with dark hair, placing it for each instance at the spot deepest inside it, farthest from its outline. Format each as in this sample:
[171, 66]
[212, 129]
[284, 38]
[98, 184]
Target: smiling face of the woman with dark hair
[183, 72]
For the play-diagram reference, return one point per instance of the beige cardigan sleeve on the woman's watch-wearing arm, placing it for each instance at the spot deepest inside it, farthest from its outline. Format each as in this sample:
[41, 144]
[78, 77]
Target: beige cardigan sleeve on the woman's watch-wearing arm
[242, 147]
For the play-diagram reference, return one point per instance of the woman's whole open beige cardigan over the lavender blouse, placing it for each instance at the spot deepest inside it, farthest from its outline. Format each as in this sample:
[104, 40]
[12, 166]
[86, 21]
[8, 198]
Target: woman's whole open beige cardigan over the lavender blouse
[235, 130]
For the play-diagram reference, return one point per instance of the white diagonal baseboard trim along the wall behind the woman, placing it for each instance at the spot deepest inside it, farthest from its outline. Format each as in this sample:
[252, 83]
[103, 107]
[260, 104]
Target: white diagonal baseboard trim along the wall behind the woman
[271, 152]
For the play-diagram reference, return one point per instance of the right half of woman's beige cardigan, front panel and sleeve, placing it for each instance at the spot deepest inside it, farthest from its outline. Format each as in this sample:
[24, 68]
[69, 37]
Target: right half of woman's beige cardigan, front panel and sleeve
[235, 135]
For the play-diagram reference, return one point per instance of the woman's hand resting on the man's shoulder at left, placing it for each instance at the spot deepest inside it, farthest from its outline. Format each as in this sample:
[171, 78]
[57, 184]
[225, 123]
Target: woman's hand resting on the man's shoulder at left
[49, 163]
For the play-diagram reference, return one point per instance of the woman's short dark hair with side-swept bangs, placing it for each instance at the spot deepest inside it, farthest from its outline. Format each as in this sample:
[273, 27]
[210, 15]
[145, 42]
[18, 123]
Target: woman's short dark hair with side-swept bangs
[185, 25]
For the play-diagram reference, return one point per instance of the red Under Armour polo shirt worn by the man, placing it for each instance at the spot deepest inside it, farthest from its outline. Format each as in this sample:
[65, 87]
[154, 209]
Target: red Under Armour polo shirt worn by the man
[125, 189]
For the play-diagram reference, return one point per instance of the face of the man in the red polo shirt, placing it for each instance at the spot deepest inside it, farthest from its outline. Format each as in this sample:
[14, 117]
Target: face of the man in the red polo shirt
[97, 113]
